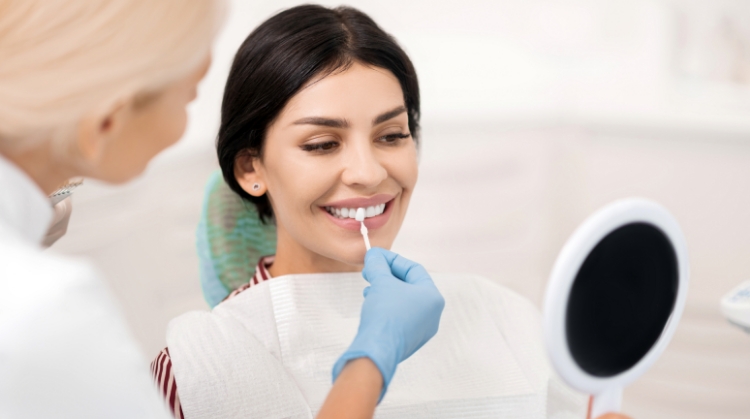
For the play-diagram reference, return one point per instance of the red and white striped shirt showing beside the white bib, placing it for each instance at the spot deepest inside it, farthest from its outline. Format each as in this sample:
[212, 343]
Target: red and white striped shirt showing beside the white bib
[161, 366]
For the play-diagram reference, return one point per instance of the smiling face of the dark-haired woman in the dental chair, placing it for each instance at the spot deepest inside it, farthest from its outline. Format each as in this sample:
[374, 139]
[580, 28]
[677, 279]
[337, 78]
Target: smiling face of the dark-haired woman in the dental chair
[342, 143]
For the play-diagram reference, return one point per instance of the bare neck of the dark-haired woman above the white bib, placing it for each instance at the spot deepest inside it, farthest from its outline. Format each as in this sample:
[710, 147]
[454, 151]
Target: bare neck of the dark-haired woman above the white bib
[293, 258]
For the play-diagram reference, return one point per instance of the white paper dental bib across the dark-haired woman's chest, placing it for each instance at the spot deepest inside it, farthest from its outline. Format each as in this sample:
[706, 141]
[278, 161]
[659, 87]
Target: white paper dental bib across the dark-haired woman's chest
[268, 352]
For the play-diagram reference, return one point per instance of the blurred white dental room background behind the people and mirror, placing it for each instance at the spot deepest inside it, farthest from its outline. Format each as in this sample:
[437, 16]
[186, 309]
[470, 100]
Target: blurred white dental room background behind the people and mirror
[535, 113]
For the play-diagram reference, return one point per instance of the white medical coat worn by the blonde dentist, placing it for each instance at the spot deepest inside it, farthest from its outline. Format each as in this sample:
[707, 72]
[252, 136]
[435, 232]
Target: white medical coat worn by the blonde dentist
[65, 350]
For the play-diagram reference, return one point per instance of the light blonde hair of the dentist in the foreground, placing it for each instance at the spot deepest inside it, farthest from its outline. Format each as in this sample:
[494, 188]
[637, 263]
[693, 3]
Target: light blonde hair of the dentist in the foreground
[60, 59]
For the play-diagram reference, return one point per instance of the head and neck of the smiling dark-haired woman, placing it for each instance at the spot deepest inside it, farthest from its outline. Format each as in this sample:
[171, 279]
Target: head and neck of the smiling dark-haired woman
[322, 122]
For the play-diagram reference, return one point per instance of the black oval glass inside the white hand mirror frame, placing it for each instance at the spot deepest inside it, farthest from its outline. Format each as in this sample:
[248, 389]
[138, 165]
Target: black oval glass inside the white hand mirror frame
[621, 299]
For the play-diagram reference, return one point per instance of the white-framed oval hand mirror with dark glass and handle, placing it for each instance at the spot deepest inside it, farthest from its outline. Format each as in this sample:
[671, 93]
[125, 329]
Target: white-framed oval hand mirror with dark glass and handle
[614, 298]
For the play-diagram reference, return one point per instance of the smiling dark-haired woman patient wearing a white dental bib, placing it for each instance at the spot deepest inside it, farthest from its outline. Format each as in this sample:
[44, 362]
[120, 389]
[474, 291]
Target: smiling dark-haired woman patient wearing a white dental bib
[320, 118]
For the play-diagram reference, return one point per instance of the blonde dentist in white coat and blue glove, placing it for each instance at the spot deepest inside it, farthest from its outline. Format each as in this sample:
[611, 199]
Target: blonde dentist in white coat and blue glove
[97, 89]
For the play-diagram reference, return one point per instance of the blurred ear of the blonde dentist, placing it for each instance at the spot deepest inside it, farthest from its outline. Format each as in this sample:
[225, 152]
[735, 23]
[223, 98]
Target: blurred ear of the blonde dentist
[97, 129]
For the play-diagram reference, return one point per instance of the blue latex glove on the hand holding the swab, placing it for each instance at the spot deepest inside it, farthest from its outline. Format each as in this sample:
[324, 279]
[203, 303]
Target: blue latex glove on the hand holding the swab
[401, 313]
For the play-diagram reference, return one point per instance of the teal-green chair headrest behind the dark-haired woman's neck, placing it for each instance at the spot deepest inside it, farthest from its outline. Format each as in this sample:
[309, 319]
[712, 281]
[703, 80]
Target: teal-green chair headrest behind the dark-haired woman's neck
[230, 240]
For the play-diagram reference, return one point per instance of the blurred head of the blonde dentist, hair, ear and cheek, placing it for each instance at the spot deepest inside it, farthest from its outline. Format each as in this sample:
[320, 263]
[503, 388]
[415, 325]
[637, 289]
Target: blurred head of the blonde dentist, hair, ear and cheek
[98, 88]
